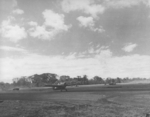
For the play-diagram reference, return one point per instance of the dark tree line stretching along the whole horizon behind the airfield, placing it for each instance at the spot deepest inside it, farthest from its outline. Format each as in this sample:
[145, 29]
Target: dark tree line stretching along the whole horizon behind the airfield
[39, 80]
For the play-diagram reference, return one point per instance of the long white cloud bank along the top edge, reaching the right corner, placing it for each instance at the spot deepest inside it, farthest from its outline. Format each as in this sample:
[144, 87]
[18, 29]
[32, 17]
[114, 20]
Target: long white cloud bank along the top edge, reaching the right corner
[92, 8]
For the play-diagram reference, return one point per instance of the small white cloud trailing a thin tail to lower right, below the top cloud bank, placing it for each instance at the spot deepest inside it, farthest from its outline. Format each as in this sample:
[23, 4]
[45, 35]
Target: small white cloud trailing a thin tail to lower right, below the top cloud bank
[89, 22]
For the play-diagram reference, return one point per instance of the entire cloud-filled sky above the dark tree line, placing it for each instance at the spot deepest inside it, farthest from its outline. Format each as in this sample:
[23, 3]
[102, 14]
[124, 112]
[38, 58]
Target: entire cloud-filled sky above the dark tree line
[107, 38]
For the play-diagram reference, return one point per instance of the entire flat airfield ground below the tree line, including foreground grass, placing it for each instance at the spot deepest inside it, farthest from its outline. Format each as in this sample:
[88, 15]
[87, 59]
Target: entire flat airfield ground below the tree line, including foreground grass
[121, 100]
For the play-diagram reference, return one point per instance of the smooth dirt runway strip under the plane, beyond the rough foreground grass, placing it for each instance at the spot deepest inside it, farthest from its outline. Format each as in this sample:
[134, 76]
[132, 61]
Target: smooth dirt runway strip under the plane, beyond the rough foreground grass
[80, 92]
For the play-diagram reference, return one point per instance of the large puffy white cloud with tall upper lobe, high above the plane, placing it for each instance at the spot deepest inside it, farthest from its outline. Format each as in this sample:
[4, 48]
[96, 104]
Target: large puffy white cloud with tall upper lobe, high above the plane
[54, 24]
